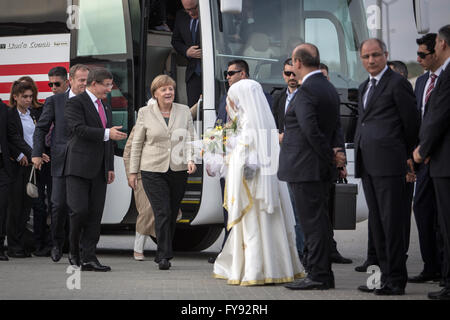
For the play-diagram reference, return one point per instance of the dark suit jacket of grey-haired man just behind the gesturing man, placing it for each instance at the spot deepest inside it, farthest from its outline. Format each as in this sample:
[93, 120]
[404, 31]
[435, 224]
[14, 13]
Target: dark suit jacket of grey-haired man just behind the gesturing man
[53, 112]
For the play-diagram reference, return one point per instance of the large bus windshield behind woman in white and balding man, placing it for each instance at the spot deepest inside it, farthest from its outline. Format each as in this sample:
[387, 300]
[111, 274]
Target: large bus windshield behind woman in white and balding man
[266, 31]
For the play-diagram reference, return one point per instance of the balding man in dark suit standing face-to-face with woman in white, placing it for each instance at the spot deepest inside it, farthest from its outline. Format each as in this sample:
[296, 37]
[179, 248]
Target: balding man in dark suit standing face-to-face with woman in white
[307, 161]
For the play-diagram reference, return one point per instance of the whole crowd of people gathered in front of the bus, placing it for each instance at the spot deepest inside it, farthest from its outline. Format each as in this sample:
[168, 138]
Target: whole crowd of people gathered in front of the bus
[277, 223]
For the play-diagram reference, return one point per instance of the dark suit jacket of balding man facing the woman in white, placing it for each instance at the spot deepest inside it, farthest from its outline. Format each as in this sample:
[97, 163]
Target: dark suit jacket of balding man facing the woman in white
[312, 122]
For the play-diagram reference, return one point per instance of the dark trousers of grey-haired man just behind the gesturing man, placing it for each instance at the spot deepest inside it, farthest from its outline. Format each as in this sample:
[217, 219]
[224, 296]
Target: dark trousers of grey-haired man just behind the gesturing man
[60, 211]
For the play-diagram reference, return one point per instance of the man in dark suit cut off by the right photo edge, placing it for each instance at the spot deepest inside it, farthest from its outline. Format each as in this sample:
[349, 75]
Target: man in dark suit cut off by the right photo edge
[434, 147]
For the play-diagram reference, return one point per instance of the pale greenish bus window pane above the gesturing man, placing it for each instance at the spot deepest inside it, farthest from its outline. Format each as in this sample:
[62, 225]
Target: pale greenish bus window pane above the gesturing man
[93, 37]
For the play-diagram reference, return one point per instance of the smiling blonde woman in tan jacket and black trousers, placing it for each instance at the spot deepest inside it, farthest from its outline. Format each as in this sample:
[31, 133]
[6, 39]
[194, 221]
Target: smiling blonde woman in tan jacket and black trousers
[162, 153]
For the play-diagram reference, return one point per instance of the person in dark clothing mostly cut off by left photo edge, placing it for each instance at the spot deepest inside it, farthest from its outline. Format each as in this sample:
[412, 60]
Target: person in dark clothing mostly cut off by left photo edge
[6, 175]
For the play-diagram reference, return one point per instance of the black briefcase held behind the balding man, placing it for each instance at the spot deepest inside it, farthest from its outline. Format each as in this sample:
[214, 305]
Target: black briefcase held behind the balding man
[343, 205]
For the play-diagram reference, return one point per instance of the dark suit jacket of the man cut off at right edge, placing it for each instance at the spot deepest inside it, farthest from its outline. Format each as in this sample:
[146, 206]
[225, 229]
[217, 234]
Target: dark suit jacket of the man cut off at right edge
[435, 131]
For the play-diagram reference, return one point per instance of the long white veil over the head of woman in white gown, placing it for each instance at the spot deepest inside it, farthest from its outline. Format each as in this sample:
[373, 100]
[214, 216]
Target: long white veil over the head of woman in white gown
[258, 130]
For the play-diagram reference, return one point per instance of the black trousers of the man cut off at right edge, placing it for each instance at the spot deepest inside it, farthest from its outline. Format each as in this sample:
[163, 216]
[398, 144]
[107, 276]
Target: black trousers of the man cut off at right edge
[442, 191]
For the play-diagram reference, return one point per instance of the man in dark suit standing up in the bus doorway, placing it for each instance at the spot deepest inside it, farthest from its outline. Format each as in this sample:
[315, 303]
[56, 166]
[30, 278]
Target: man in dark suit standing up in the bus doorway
[186, 41]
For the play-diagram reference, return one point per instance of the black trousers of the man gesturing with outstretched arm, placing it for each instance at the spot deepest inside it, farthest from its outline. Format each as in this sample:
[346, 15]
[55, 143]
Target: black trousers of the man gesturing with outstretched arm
[86, 200]
